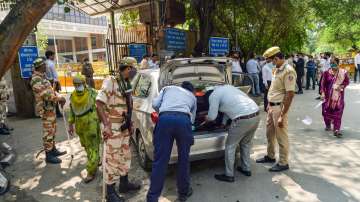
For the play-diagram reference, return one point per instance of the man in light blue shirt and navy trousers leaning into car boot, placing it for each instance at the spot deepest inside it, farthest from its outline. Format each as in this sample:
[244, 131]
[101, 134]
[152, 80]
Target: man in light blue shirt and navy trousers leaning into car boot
[177, 109]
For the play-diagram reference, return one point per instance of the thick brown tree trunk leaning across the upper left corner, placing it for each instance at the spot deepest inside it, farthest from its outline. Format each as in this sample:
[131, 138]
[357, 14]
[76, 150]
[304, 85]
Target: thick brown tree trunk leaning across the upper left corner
[17, 25]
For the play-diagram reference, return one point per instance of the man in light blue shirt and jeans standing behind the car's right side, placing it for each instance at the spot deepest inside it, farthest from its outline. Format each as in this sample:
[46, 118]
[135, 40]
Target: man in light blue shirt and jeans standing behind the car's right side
[252, 67]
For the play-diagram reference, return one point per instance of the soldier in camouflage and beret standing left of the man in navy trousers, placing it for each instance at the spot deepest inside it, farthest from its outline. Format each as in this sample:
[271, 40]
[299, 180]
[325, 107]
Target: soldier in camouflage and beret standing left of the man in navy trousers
[114, 106]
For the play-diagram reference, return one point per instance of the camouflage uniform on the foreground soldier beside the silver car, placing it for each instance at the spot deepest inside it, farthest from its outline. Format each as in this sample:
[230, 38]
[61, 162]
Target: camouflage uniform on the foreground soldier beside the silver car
[118, 155]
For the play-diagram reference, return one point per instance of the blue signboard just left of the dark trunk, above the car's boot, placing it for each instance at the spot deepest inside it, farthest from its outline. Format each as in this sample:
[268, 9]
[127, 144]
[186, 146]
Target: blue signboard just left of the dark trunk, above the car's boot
[175, 39]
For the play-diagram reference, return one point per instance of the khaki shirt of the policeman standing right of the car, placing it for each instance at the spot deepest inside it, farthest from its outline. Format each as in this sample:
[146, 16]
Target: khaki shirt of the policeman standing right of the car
[284, 80]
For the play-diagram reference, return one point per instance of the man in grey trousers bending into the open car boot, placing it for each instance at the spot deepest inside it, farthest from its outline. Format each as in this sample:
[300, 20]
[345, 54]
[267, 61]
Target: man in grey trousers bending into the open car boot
[243, 113]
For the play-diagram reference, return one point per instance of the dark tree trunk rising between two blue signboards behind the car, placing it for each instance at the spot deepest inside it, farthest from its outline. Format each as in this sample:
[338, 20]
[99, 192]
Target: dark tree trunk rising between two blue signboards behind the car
[205, 12]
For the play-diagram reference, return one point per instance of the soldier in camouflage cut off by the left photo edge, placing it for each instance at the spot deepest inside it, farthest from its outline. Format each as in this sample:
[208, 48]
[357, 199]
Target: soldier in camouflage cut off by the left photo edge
[4, 97]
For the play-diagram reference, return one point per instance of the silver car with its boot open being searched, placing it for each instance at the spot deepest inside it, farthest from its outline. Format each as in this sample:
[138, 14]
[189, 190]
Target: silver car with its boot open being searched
[203, 73]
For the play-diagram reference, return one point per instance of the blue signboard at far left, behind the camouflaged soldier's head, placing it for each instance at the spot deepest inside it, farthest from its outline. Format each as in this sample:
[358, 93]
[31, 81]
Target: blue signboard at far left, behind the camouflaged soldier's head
[27, 55]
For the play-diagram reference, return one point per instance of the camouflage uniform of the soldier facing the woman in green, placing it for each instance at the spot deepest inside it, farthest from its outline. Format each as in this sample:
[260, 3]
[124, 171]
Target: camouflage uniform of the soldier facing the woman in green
[45, 98]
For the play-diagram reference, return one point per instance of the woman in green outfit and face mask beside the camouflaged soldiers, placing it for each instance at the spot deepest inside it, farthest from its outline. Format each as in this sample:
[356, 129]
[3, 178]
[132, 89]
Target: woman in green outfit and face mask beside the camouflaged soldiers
[87, 126]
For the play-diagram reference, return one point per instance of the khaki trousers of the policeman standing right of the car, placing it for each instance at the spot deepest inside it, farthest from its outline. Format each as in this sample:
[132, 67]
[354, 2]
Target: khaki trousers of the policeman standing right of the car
[273, 133]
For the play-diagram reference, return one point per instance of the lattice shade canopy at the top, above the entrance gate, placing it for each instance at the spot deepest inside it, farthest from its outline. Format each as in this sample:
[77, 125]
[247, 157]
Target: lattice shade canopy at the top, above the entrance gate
[98, 7]
